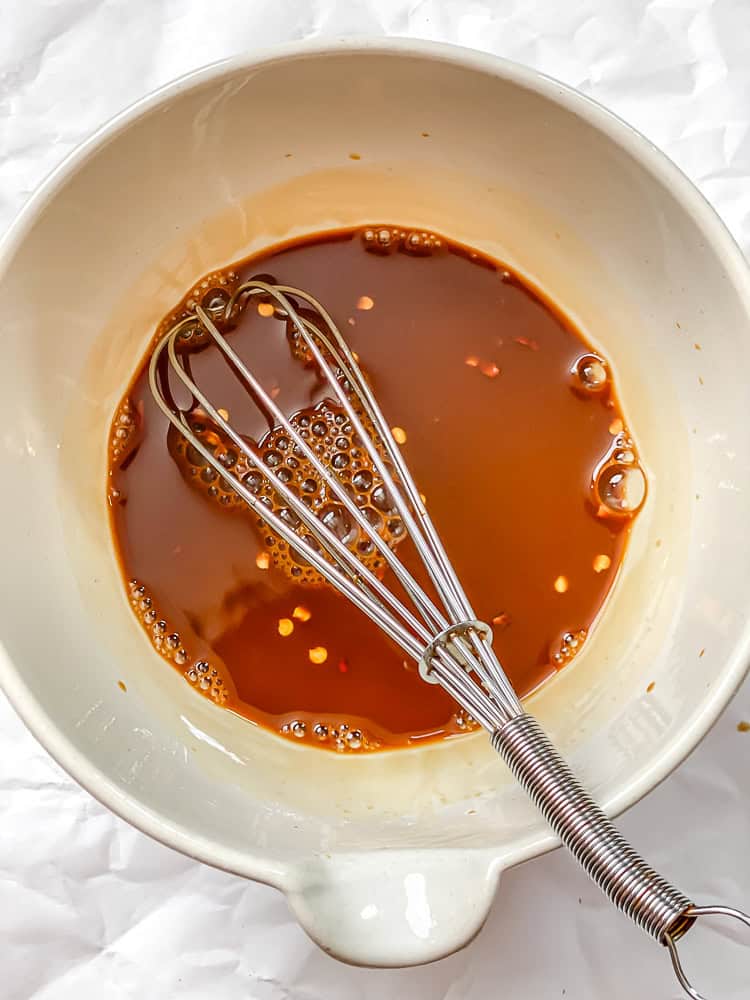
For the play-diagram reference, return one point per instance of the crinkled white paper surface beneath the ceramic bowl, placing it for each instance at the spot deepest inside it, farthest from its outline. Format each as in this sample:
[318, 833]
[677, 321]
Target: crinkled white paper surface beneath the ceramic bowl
[89, 908]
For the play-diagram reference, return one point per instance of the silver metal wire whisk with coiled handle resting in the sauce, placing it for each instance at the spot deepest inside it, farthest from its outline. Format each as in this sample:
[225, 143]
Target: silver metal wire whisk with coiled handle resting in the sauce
[451, 646]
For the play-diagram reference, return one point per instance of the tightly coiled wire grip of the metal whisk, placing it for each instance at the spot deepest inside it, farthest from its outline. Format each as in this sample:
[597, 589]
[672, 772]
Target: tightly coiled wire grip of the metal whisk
[630, 883]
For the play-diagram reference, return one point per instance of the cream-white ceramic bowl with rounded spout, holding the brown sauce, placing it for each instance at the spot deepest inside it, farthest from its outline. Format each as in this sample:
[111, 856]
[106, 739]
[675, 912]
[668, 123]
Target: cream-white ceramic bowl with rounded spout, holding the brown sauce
[391, 859]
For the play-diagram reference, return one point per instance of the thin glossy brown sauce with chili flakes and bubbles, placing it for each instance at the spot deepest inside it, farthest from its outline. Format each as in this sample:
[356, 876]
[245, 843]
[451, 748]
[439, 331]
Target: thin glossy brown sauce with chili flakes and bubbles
[513, 434]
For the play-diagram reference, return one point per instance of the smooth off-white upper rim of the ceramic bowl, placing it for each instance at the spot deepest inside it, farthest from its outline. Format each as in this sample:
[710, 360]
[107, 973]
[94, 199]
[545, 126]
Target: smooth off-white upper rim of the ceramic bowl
[149, 820]
